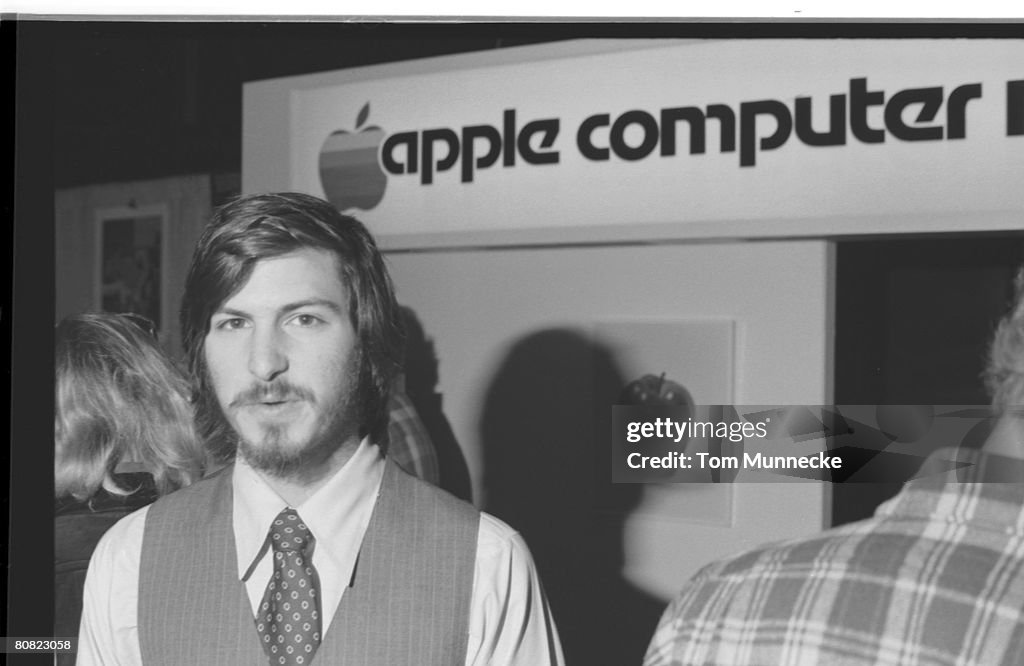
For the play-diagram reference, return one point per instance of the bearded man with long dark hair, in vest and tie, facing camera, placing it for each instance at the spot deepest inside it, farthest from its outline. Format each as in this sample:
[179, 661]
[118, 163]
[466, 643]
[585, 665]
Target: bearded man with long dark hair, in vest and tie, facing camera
[310, 544]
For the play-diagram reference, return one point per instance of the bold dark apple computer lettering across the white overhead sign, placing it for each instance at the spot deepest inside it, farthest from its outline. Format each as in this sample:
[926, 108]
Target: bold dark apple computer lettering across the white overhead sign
[637, 135]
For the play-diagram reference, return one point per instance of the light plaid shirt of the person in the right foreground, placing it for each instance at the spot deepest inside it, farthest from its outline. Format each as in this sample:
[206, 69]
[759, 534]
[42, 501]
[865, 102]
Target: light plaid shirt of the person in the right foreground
[935, 577]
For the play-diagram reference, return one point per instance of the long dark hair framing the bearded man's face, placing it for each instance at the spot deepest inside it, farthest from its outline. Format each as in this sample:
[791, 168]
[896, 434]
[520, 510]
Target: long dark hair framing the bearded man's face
[260, 227]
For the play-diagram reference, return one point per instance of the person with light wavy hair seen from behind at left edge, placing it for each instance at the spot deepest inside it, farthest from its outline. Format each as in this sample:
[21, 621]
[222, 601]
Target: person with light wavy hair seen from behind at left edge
[124, 435]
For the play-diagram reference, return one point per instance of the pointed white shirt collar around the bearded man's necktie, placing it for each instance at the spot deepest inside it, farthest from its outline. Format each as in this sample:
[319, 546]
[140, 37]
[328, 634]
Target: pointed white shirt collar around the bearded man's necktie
[337, 514]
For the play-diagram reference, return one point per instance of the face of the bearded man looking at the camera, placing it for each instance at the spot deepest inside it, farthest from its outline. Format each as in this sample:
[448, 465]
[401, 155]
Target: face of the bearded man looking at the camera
[283, 359]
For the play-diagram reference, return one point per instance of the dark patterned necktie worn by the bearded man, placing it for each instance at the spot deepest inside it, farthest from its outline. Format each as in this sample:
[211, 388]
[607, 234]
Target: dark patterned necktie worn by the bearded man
[289, 616]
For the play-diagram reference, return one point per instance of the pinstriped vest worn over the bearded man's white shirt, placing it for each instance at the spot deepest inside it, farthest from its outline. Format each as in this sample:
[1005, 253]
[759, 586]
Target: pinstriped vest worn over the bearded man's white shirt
[408, 602]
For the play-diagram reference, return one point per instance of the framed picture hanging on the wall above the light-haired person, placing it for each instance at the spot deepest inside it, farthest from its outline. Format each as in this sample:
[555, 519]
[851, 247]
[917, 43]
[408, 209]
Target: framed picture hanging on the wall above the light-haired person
[131, 262]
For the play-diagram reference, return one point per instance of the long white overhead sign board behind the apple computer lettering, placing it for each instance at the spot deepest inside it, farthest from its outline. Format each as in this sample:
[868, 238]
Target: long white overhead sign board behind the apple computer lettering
[863, 186]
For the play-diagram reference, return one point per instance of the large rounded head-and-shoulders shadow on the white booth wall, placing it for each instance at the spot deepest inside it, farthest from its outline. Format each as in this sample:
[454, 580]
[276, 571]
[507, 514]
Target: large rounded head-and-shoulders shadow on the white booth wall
[545, 436]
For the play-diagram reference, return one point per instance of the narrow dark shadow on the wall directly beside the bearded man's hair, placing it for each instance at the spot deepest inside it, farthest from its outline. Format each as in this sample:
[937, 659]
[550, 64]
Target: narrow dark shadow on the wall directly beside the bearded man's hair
[421, 387]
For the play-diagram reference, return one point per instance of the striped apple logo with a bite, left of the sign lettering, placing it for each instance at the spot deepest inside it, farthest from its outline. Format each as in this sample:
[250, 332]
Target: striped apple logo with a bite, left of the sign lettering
[349, 168]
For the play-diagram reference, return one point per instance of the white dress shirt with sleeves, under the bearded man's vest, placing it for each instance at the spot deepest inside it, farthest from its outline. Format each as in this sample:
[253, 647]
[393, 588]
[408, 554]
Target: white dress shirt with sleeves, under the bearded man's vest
[510, 621]
